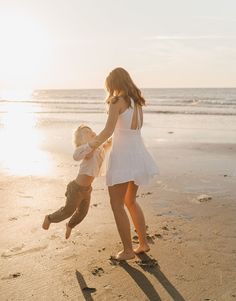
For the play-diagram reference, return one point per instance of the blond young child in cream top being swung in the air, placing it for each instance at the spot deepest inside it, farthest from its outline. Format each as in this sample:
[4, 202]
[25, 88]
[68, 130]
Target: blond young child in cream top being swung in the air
[78, 192]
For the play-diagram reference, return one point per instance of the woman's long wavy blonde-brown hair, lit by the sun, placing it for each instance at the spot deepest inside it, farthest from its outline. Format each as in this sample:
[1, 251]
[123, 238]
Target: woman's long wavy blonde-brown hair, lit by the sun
[120, 82]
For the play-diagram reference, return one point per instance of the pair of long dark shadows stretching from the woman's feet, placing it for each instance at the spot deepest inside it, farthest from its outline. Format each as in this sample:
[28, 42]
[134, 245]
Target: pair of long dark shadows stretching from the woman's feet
[150, 265]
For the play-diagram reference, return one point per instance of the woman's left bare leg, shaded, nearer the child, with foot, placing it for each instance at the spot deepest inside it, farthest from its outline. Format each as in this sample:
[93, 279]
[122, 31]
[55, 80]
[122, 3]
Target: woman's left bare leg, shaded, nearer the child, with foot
[117, 195]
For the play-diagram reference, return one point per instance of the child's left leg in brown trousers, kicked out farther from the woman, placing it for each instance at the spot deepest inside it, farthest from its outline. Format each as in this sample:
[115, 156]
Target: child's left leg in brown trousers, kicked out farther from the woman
[72, 195]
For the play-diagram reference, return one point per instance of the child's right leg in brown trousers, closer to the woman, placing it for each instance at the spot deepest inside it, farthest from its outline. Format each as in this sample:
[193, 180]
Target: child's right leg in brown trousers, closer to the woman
[79, 214]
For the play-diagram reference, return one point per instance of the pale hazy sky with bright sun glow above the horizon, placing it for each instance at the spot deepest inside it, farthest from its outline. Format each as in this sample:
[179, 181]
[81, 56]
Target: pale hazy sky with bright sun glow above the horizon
[59, 44]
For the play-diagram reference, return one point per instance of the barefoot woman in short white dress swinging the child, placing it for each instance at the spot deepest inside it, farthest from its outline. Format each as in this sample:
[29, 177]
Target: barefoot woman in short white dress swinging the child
[130, 164]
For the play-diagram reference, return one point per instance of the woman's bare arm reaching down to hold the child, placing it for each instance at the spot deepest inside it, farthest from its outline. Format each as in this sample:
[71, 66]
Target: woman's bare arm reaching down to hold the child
[114, 110]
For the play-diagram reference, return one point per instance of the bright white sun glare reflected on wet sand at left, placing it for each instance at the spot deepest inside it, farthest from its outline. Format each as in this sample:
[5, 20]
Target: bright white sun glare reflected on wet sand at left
[21, 140]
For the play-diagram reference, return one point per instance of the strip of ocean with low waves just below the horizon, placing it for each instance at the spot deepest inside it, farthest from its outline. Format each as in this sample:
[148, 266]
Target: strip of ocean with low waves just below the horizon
[206, 101]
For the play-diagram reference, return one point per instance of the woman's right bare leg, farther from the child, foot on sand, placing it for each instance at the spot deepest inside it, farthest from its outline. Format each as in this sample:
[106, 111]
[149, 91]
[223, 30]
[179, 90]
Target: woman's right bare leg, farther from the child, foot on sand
[137, 217]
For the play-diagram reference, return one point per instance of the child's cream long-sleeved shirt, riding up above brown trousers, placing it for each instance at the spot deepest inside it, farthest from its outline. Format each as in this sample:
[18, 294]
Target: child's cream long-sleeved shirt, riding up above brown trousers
[91, 166]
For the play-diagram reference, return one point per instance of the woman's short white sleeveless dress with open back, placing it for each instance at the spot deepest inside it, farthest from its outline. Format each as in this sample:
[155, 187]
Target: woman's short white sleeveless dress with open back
[129, 159]
